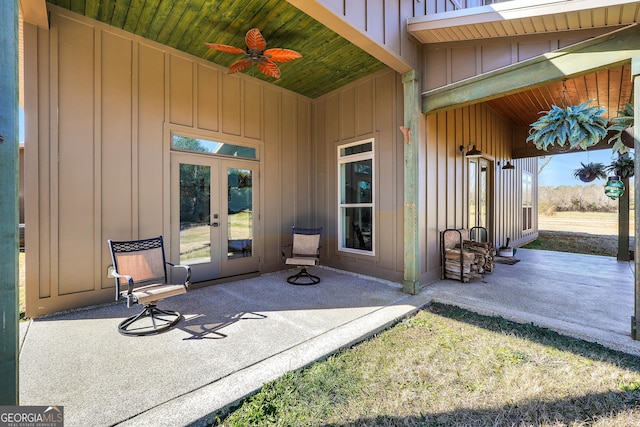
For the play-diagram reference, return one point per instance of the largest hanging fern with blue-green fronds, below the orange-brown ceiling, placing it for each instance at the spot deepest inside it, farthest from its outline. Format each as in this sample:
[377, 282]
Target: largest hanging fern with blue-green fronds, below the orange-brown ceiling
[580, 126]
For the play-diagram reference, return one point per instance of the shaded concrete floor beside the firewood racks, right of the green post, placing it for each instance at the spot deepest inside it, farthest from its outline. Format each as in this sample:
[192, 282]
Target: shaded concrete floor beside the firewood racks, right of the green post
[584, 296]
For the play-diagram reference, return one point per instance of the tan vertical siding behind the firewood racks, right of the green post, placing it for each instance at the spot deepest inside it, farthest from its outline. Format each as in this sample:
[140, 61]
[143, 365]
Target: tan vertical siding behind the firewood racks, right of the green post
[447, 179]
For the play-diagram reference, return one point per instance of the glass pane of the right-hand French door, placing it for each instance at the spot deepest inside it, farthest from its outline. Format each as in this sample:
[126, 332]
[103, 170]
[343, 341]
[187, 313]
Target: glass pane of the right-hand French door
[240, 213]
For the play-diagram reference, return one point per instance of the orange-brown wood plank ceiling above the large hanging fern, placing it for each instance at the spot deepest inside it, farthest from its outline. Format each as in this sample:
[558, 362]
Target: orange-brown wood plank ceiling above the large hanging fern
[610, 88]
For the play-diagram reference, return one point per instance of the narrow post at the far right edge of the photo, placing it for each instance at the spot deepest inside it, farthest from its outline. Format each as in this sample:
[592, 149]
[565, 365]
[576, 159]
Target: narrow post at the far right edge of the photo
[635, 320]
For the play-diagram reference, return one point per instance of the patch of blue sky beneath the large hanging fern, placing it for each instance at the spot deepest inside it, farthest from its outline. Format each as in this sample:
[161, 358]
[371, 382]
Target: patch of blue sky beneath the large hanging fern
[560, 169]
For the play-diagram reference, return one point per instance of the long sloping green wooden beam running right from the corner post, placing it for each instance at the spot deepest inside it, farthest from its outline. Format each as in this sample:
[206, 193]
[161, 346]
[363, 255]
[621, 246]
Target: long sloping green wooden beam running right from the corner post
[607, 51]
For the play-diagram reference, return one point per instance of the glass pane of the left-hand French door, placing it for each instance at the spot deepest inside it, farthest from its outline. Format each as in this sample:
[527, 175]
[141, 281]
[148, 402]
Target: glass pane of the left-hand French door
[195, 210]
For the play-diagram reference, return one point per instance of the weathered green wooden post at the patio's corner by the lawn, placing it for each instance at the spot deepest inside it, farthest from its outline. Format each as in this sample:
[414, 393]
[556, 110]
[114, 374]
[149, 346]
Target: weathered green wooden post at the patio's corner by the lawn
[410, 130]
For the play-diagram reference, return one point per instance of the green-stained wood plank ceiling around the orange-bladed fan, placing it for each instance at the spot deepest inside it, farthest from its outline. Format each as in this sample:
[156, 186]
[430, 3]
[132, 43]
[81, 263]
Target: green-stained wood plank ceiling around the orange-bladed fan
[328, 60]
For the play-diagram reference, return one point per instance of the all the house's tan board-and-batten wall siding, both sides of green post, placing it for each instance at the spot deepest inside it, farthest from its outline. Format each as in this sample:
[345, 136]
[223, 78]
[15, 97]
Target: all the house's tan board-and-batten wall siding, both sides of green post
[97, 157]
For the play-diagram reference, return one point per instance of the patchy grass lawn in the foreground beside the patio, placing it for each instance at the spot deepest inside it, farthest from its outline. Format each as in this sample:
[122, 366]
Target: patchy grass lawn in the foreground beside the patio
[450, 367]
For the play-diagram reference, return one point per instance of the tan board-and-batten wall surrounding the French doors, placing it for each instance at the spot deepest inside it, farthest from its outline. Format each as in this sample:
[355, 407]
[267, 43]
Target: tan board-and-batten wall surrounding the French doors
[101, 104]
